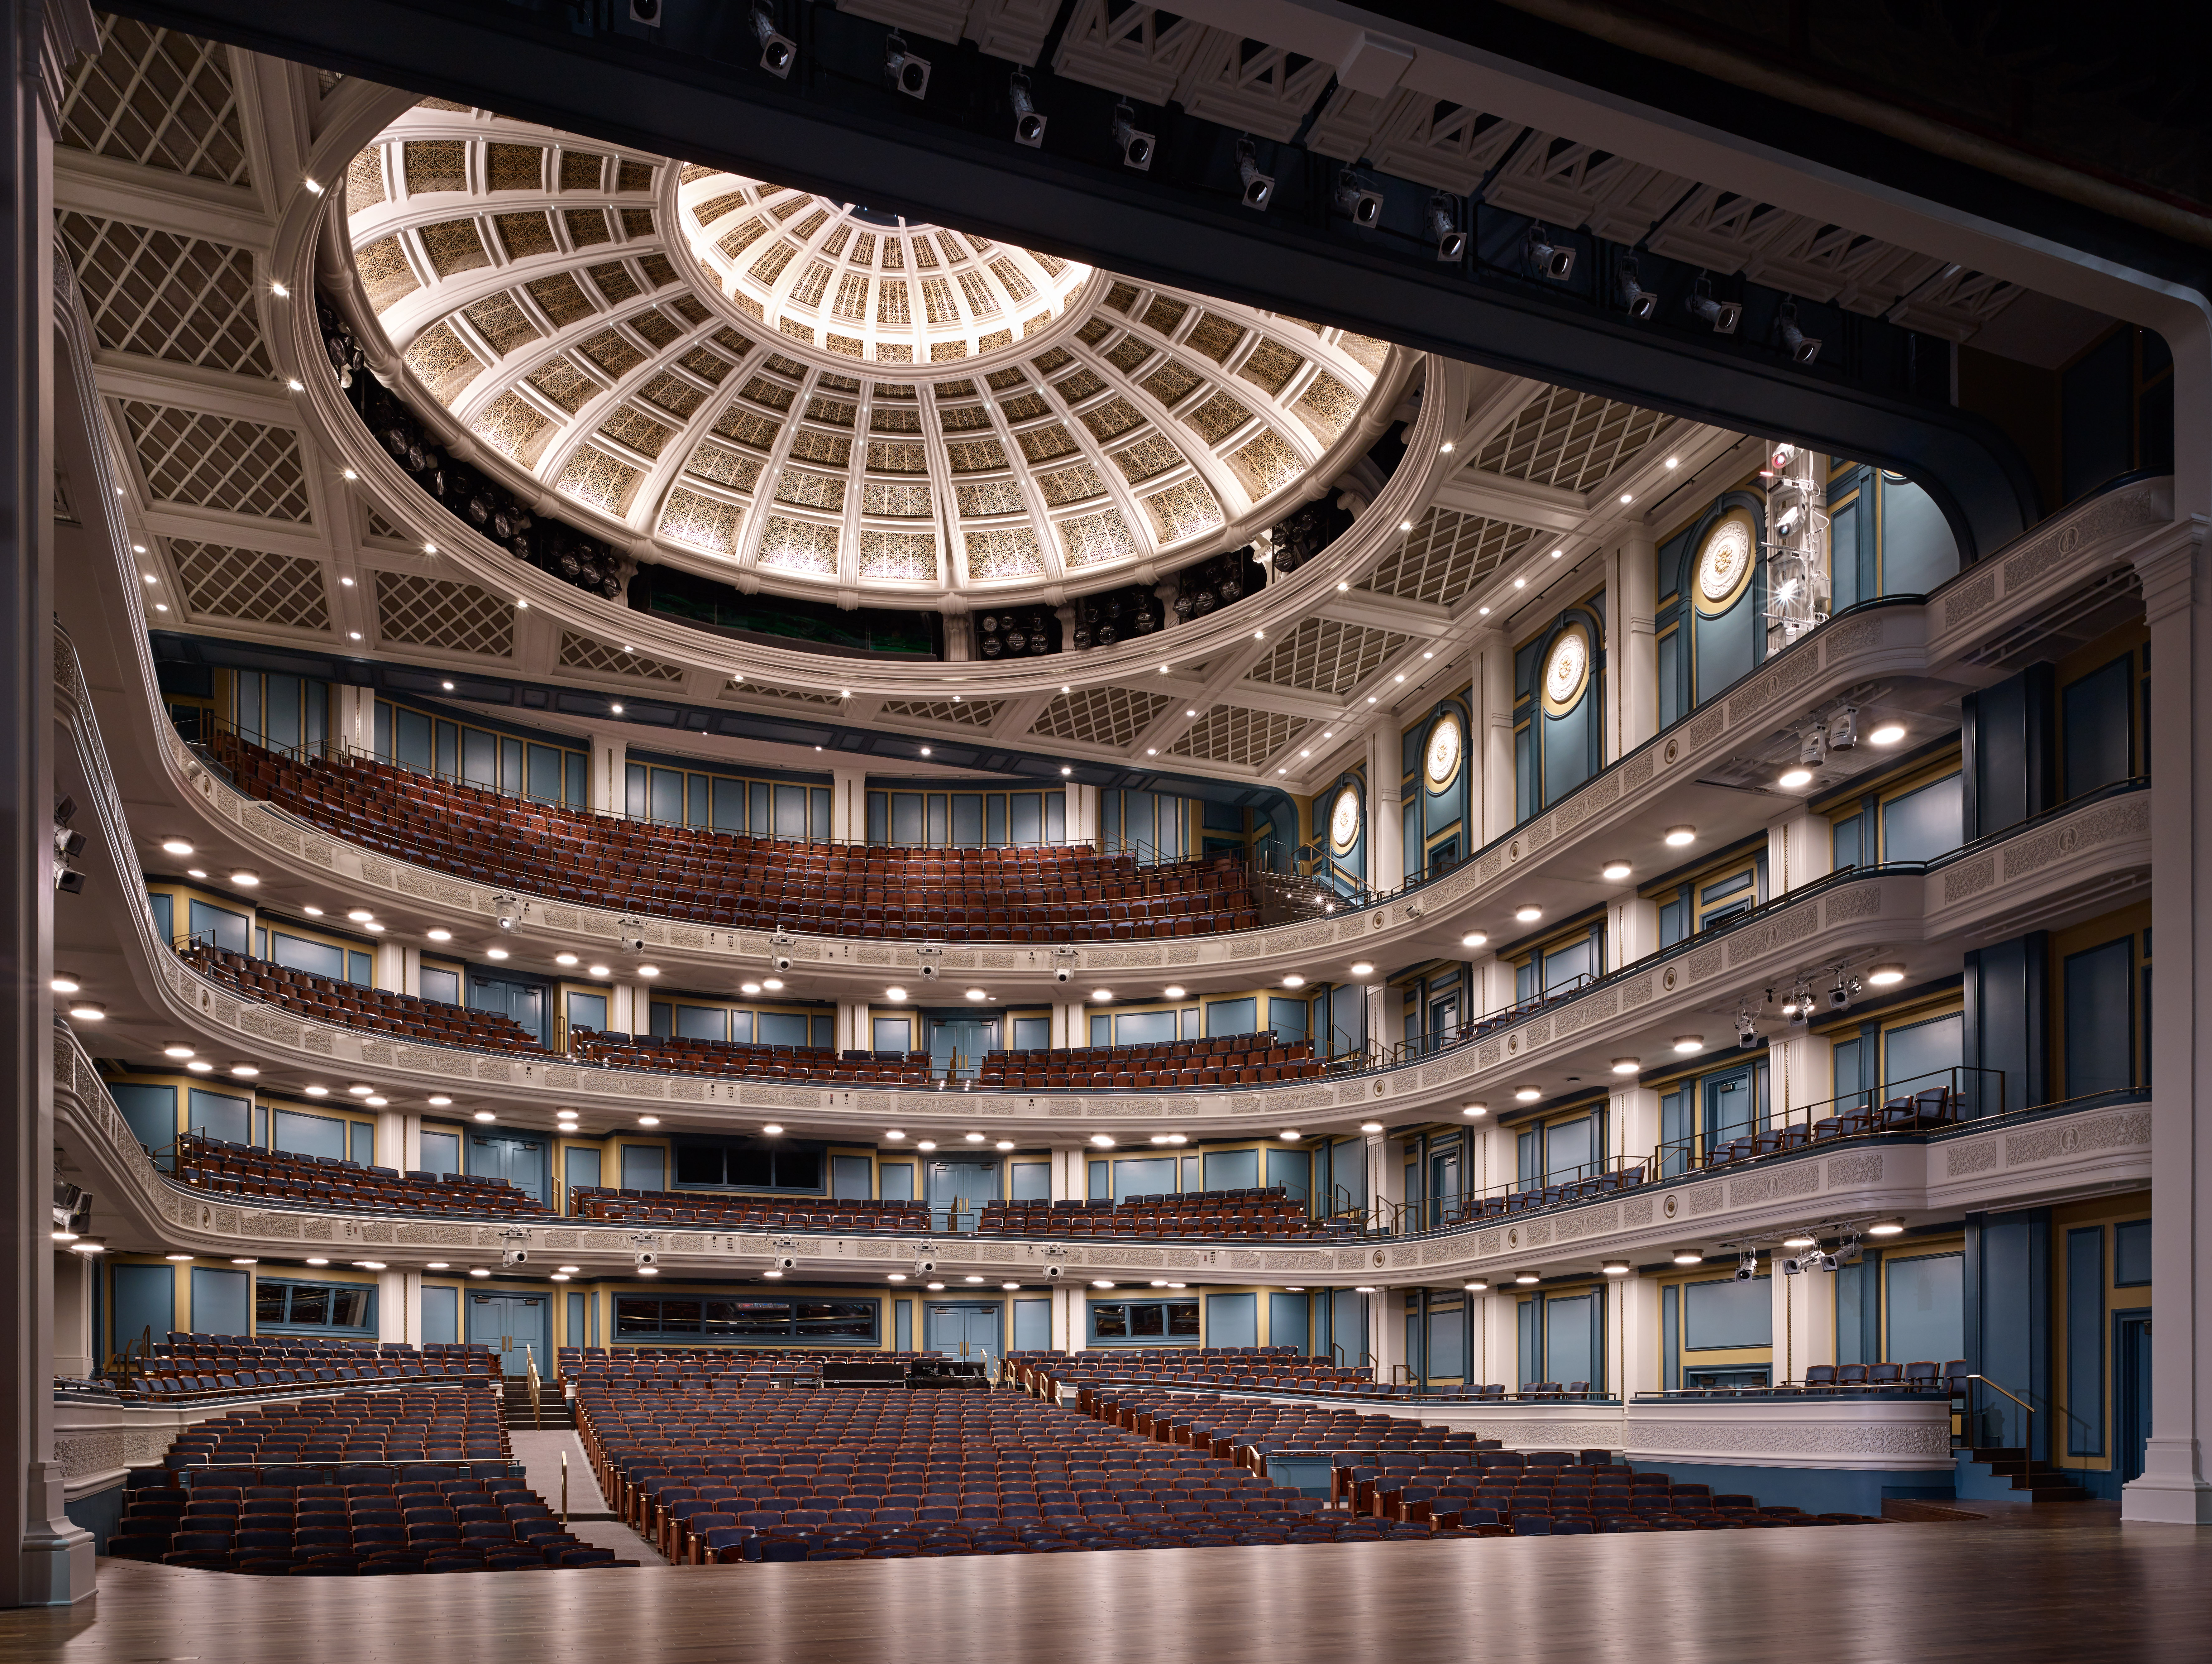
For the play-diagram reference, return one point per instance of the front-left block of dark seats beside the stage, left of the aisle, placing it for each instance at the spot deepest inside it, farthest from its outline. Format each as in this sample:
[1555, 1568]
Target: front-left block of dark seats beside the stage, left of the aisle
[366, 1528]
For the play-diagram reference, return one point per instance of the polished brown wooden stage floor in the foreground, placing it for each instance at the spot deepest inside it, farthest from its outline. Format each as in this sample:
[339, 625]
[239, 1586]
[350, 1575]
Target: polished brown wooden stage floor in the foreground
[1886, 1594]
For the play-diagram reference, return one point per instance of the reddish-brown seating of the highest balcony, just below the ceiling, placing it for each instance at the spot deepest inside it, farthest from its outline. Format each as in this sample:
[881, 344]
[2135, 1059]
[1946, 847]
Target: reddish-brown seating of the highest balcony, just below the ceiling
[1030, 895]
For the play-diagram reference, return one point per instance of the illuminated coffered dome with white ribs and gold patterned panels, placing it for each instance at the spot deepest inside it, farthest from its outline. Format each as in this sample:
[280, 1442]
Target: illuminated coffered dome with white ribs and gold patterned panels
[822, 395]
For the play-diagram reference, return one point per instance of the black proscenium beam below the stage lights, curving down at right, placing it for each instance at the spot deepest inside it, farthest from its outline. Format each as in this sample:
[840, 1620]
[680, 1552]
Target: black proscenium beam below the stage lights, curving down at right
[693, 92]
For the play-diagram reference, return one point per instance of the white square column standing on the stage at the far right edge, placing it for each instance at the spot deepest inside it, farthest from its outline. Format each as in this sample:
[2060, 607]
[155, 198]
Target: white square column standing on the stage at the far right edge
[2178, 607]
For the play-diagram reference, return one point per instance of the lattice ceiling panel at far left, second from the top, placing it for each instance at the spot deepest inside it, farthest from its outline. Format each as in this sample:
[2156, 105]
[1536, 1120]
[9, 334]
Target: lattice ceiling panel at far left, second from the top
[167, 298]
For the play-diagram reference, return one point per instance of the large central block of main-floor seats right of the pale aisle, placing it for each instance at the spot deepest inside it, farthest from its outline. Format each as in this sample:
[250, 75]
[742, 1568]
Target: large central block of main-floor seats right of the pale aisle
[862, 1473]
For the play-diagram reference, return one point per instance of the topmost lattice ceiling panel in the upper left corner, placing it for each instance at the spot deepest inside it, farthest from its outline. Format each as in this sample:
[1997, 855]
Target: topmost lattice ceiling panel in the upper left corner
[158, 98]
